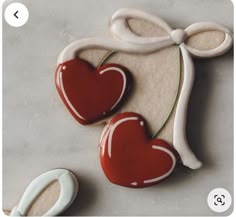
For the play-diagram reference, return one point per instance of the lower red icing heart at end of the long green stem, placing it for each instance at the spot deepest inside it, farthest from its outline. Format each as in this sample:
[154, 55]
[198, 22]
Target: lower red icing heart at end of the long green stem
[129, 157]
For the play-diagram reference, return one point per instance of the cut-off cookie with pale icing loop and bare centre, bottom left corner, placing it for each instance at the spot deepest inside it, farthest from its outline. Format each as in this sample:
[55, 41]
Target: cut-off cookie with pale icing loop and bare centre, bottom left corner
[48, 195]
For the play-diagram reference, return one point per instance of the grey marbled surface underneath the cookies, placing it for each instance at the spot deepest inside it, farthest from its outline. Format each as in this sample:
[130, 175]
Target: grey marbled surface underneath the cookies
[39, 134]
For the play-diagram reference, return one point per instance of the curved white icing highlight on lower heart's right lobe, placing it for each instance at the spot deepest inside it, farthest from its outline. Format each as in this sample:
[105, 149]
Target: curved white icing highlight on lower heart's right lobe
[167, 151]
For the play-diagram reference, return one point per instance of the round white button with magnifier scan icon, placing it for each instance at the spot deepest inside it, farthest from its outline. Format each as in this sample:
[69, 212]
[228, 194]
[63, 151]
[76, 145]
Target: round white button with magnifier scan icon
[219, 200]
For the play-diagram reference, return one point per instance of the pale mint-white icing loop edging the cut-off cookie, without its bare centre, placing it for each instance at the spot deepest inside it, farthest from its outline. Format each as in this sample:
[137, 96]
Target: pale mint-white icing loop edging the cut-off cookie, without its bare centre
[68, 191]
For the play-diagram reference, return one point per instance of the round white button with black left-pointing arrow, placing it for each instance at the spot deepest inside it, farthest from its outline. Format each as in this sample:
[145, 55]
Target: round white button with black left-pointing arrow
[16, 14]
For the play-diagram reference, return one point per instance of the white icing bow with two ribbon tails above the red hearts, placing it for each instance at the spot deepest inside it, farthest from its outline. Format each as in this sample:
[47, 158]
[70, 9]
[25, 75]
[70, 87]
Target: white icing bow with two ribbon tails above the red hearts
[129, 42]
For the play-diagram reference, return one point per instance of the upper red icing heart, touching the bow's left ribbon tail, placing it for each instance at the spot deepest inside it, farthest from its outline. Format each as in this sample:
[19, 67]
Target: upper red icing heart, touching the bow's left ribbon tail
[91, 94]
